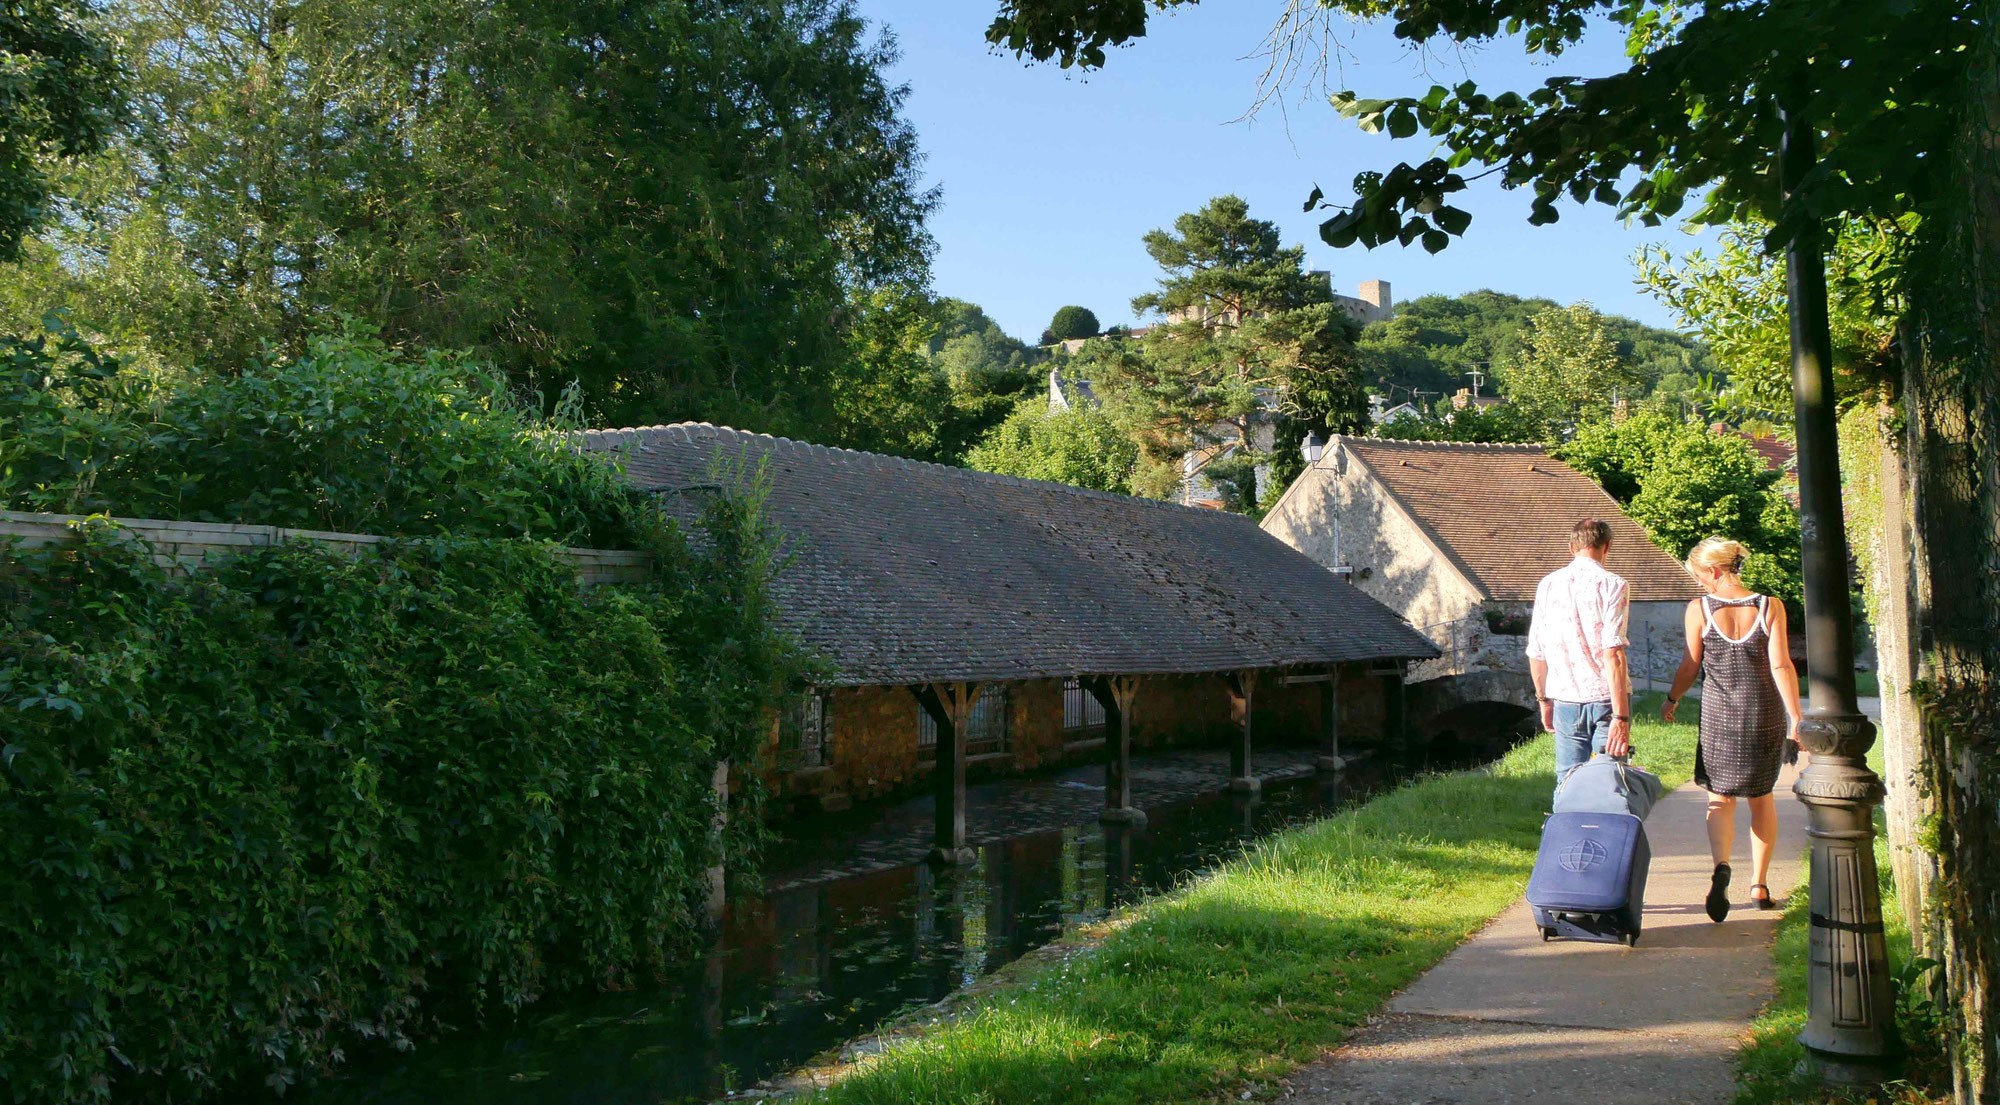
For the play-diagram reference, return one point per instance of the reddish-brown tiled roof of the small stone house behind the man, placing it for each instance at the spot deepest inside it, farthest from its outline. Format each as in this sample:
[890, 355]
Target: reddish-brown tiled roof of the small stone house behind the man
[1503, 515]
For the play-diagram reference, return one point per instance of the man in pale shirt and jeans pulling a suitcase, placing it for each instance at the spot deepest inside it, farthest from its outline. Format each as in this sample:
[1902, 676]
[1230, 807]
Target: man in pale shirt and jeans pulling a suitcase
[1577, 652]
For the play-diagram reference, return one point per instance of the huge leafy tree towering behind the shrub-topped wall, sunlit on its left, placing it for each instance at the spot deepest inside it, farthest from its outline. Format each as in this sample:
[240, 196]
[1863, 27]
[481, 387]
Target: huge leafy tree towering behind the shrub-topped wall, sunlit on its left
[671, 203]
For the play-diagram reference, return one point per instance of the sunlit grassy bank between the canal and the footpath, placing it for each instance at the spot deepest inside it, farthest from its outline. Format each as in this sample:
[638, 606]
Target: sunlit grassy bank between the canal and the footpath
[1261, 966]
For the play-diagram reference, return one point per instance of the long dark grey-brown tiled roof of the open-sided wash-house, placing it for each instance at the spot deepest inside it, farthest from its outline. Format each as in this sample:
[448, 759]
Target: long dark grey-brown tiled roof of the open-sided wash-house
[905, 574]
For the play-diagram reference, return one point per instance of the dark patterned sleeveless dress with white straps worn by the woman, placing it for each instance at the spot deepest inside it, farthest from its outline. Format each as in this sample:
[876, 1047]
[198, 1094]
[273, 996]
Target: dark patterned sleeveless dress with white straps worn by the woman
[1743, 718]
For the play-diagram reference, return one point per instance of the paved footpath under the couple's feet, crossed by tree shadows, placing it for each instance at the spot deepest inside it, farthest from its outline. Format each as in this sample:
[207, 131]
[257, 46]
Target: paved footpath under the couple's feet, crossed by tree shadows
[1513, 1020]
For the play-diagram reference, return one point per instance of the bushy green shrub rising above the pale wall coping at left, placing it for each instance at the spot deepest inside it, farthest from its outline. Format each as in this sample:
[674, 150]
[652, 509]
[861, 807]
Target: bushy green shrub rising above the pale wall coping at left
[351, 437]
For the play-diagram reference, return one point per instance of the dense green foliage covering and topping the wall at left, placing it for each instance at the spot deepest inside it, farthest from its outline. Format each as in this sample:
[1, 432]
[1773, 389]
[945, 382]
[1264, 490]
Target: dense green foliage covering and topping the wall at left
[297, 802]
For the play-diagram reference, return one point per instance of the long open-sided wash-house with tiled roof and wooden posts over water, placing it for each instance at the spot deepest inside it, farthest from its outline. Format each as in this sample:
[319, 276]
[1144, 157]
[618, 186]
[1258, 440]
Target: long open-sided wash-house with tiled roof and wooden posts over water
[975, 622]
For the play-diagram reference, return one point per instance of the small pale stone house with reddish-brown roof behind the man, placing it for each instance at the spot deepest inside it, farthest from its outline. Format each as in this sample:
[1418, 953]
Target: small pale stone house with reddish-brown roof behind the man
[1455, 539]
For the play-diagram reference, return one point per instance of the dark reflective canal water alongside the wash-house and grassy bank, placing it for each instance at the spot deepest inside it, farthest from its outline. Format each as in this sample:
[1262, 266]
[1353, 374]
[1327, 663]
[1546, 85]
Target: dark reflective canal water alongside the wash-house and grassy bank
[807, 968]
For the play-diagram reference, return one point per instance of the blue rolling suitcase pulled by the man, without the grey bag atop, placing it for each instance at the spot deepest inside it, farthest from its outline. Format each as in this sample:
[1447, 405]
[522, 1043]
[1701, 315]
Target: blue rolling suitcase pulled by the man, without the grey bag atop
[1589, 880]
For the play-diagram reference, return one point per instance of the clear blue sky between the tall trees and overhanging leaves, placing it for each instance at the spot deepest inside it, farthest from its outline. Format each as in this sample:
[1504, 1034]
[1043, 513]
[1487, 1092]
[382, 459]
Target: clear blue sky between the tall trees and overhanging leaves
[1053, 177]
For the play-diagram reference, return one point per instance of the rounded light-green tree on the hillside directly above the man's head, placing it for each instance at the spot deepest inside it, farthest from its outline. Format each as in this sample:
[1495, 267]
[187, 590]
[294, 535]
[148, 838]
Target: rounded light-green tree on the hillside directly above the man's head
[1565, 371]
